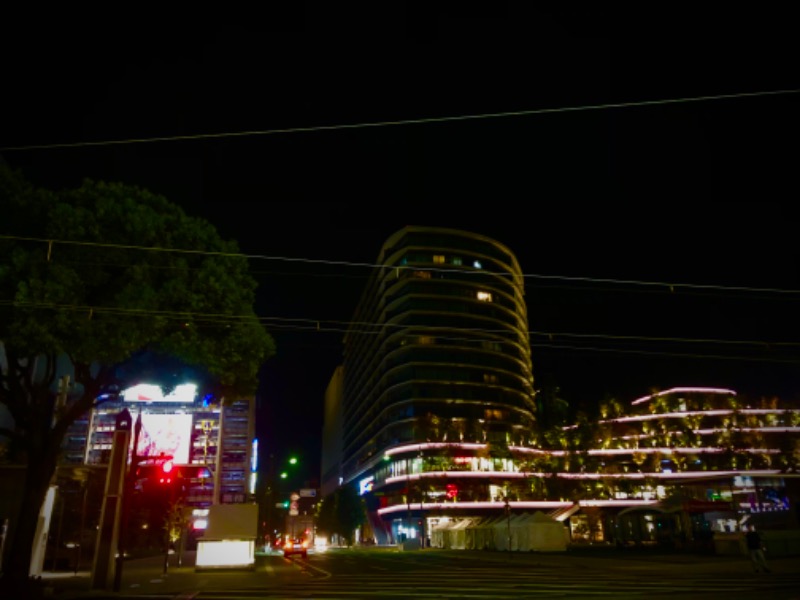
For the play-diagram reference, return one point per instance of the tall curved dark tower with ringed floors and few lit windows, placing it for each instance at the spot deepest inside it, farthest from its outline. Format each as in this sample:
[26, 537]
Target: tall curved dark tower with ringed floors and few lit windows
[436, 358]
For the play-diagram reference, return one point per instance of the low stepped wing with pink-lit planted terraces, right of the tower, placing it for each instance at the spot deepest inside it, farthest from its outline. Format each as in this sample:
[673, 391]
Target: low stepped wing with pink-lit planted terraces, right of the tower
[698, 461]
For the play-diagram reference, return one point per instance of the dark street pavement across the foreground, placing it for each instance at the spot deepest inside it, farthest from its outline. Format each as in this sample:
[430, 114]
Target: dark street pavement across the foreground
[388, 572]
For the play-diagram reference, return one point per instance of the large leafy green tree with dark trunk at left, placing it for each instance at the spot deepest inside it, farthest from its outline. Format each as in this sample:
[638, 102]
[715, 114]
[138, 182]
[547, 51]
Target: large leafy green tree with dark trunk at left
[98, 275]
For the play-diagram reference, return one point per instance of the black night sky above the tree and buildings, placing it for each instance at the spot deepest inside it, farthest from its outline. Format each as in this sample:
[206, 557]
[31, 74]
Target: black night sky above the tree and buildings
[675, 192]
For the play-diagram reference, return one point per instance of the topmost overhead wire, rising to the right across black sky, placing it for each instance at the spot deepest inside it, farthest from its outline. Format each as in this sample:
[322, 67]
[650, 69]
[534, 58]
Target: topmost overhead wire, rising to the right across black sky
[401, 122]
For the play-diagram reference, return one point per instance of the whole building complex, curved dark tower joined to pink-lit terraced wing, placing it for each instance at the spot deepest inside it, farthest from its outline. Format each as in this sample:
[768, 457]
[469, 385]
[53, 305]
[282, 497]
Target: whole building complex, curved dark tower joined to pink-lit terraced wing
[432, 418]
